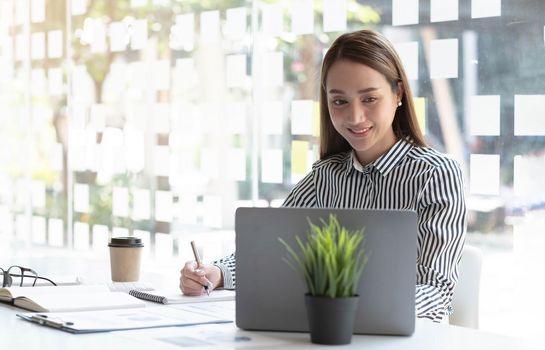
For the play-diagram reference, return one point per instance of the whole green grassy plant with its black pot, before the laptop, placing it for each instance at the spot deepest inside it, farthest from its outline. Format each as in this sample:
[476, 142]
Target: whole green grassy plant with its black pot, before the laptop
[331, 261]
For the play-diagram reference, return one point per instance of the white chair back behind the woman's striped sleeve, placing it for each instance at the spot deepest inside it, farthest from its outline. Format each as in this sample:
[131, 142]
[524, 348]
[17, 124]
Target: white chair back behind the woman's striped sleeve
[465, 300]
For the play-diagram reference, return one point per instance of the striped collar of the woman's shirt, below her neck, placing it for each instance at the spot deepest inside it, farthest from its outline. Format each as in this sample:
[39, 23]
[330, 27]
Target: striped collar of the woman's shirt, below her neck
[385, 163]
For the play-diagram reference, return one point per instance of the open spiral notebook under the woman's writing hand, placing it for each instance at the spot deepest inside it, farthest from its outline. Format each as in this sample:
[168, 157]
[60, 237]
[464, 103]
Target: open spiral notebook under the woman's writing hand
[176, 297]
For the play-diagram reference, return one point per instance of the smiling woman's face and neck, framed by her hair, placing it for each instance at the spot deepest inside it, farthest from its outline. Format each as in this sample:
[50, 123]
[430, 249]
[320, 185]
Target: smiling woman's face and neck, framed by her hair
[362, 106]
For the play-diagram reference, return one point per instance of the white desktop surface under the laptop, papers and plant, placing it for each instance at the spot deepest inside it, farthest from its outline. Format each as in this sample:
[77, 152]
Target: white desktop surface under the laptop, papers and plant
[18, 334]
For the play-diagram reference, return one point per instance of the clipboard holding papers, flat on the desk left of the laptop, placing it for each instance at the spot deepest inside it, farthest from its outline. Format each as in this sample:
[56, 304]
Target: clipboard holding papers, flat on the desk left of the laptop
[81, 322]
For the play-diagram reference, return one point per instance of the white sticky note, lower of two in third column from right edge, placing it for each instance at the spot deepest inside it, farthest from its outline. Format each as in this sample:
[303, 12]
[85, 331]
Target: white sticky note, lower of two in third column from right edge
[444, 58]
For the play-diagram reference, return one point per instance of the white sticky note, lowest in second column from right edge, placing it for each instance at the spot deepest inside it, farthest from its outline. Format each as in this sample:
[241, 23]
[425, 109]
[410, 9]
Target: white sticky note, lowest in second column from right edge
[484, 174]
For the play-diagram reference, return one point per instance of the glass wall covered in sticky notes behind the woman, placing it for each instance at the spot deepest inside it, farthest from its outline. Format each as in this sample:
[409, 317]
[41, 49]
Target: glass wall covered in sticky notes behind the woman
[158, 118]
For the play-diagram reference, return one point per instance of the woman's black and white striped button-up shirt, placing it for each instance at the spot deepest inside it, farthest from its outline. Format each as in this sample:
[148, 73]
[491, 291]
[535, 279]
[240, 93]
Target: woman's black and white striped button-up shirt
[405, 177]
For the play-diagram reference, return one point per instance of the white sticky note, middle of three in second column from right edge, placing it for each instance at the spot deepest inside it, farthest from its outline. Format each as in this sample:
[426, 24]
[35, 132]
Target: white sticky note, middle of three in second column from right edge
[484, 115]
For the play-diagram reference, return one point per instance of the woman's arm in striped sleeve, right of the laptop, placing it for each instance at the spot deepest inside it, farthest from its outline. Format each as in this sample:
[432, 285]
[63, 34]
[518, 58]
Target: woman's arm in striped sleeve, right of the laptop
[442, 228]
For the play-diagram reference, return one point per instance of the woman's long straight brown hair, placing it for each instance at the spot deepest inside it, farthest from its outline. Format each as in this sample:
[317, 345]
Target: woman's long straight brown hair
[375, 51]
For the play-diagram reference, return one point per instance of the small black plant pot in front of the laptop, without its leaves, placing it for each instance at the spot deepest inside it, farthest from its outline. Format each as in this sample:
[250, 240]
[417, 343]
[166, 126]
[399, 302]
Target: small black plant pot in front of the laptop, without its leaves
[331, 320]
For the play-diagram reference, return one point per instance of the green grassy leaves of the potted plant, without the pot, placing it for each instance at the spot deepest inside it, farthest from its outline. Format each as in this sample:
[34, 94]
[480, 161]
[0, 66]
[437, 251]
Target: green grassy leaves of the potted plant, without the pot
[331, 260]
